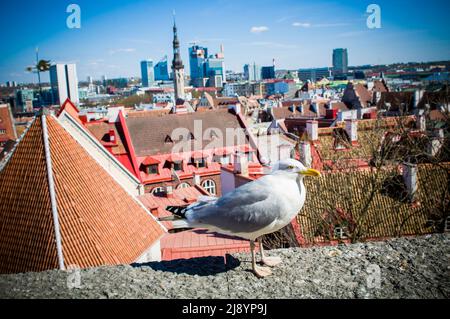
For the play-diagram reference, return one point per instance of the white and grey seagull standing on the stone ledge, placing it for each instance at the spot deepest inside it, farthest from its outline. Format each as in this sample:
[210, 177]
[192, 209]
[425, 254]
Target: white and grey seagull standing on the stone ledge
[252, 210]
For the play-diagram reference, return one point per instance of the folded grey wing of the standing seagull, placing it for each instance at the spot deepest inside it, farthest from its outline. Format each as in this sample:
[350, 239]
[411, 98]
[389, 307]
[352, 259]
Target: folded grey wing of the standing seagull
[247, 209]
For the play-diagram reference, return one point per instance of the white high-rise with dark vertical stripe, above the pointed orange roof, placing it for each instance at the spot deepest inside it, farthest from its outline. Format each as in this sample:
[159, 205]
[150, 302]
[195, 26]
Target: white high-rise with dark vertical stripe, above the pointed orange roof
[64, 83]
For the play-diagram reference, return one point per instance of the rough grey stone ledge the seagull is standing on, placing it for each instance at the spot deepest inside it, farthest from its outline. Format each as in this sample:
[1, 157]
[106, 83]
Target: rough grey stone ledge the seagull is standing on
[400, 268]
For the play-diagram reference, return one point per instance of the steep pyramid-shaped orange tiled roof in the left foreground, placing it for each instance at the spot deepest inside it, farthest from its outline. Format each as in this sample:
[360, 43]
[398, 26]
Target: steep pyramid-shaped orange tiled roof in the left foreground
[100, 222]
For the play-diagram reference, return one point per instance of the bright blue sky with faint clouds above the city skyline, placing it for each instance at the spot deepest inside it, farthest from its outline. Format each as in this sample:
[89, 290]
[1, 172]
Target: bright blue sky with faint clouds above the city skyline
[115, 35]
